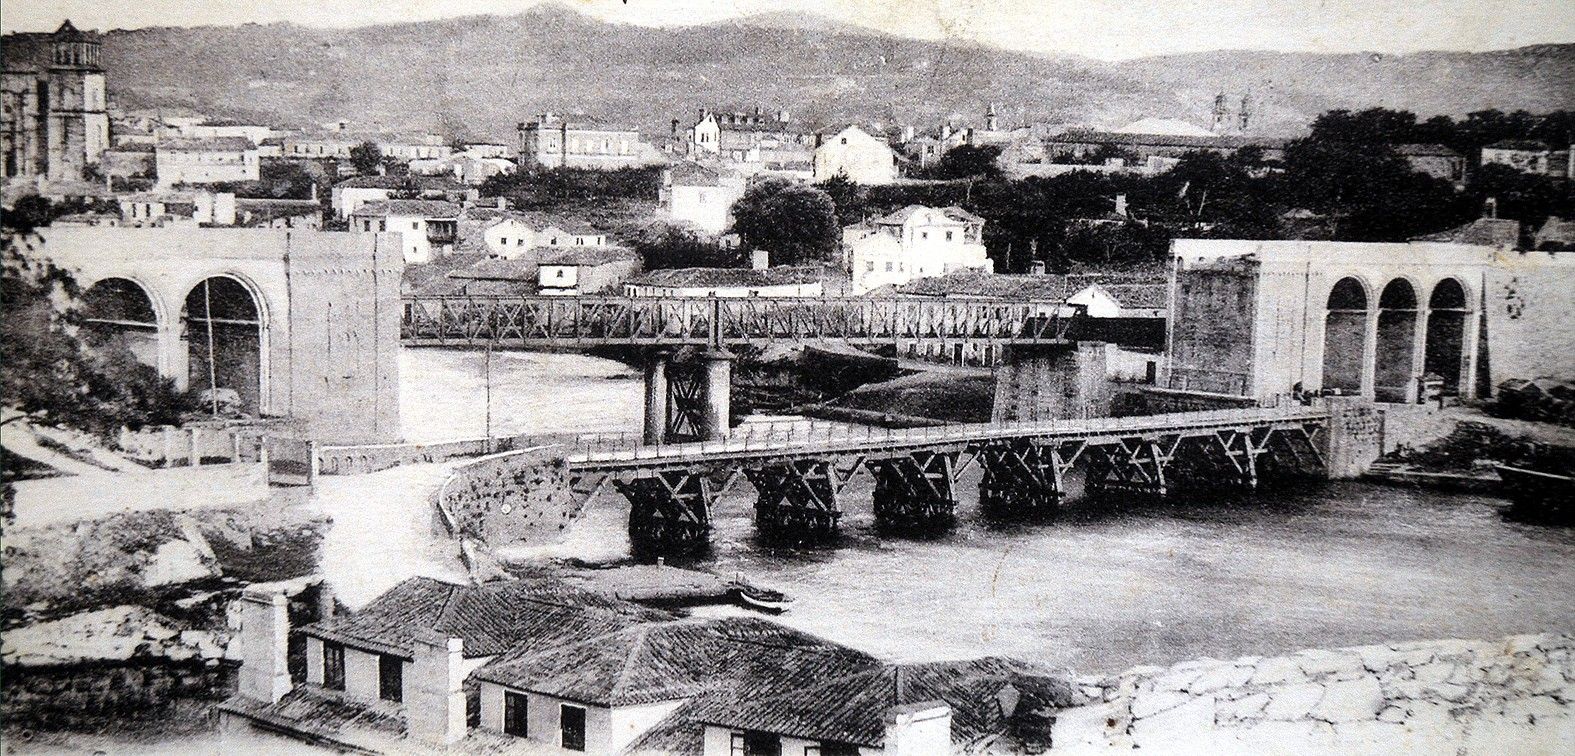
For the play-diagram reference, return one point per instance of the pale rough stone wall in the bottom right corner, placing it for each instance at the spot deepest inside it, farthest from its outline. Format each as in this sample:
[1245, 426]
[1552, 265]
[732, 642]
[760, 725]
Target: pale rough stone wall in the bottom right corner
[1500, 697]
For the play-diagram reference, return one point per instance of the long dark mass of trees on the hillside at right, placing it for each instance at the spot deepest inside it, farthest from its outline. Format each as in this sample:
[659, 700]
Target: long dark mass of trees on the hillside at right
[1343, 182]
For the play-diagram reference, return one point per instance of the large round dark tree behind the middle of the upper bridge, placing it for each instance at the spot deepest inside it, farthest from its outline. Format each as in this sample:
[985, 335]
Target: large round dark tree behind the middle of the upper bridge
[795, 223]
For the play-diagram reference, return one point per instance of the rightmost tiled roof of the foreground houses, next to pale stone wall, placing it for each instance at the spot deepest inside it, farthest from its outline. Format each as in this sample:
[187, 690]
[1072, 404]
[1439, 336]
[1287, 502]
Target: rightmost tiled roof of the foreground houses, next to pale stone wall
[853, 710]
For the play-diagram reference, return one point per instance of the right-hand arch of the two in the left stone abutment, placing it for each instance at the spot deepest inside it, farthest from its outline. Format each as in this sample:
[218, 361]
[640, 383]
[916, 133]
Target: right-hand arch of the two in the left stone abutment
[224, 330]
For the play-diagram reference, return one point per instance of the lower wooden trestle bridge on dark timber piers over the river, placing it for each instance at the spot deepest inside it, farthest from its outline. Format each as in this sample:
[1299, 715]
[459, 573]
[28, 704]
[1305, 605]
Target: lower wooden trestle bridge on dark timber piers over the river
[799, 480]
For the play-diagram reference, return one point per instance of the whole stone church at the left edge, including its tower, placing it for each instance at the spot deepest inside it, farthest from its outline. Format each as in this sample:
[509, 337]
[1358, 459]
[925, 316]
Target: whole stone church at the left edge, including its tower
[56, 117]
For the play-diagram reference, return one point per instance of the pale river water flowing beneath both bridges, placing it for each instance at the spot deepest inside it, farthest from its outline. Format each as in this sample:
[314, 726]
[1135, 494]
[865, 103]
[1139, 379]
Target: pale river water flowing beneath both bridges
[1097, 590]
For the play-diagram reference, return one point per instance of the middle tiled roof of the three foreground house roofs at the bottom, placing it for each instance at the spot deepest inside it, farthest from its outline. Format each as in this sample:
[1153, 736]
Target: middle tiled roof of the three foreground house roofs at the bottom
[681, 659]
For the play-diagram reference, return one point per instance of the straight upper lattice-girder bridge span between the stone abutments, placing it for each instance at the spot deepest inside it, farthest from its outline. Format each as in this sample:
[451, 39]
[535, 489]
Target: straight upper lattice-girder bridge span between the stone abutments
[577, 322]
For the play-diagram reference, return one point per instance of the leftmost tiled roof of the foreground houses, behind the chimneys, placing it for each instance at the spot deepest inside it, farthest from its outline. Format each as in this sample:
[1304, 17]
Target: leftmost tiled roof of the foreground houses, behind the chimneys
[491, 618]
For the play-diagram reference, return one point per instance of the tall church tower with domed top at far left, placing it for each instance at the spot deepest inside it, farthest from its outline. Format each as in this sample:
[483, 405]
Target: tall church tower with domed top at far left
[78, 111]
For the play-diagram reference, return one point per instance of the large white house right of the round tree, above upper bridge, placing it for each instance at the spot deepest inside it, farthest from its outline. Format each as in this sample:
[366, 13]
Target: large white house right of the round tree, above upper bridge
[914, 243]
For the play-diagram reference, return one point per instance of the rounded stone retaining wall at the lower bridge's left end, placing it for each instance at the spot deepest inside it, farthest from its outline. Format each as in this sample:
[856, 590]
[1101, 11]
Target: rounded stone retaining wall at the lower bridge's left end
[516, 498]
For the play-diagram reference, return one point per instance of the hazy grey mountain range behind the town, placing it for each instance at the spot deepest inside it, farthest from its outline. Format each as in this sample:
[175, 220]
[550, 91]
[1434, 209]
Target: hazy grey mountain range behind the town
[480, 76]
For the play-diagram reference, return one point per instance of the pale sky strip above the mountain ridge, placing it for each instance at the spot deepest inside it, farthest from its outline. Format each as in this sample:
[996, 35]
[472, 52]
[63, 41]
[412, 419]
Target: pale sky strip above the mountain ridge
[1102, 29]
